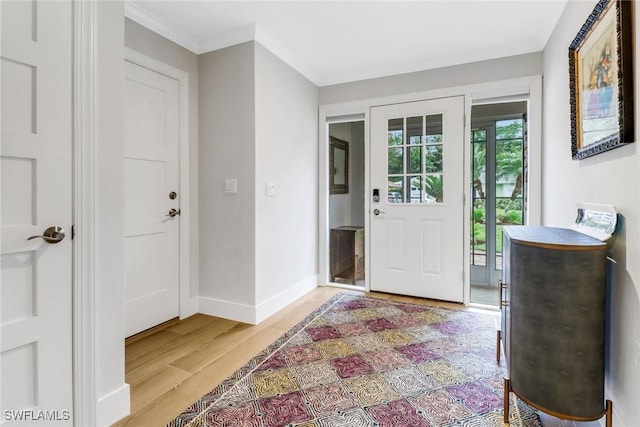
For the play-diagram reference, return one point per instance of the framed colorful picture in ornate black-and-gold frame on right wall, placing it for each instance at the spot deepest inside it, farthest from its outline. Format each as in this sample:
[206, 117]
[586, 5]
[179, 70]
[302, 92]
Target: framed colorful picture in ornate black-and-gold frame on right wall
[601, 81]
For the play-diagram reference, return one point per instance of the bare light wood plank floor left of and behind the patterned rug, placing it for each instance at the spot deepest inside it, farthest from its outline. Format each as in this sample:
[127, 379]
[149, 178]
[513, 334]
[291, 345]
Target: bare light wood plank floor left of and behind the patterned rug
[170, 369]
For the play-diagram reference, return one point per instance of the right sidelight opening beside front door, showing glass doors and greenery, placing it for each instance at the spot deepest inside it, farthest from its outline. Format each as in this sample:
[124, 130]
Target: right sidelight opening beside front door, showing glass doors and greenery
[499, 189]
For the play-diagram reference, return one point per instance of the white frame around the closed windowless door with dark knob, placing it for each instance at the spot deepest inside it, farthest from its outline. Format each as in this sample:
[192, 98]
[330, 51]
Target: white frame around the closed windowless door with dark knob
[188, 305]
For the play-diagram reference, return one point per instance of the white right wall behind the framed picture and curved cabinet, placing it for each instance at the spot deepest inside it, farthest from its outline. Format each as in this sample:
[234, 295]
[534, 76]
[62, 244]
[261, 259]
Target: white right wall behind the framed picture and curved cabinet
[611, 178]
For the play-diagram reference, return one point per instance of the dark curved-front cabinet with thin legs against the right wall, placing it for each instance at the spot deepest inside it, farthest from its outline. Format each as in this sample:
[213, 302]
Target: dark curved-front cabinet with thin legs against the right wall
[553, 321]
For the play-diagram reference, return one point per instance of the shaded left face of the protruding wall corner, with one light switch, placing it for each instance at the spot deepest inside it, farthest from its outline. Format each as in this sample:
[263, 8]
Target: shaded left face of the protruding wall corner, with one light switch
[227, 151]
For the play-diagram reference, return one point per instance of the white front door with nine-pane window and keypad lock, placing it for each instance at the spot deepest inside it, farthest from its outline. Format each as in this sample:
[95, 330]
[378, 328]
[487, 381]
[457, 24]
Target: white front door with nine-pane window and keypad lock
[417, 169]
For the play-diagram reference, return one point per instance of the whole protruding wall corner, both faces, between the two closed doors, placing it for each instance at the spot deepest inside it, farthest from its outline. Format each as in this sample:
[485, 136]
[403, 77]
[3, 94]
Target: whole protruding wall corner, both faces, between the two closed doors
[258, 124]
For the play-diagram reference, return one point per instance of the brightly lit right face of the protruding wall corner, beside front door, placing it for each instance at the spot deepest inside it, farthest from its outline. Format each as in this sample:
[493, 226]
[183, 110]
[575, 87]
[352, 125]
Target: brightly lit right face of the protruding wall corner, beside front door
[286, 148]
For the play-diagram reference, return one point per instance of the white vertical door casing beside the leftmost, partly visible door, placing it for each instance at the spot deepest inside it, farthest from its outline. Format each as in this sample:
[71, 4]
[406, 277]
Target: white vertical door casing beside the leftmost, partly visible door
[84, 207]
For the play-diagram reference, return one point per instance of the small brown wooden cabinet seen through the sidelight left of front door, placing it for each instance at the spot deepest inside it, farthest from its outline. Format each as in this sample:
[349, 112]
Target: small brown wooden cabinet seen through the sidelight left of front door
[346, 254]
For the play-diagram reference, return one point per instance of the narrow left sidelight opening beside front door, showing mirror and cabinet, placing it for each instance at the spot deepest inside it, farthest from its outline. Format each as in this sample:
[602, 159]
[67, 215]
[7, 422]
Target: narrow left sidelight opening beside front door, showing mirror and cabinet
[347, 203]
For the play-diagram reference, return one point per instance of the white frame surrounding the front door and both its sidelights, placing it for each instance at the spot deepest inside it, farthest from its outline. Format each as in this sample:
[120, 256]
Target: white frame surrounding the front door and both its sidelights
[488, 92]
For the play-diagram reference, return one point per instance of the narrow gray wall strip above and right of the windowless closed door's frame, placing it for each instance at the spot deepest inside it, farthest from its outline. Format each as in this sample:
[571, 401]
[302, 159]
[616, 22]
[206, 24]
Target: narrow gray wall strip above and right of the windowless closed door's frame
[147, 42]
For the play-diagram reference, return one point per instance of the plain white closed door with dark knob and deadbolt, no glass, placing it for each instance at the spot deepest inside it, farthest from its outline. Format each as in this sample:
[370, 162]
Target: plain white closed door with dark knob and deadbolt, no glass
[151, 240]
